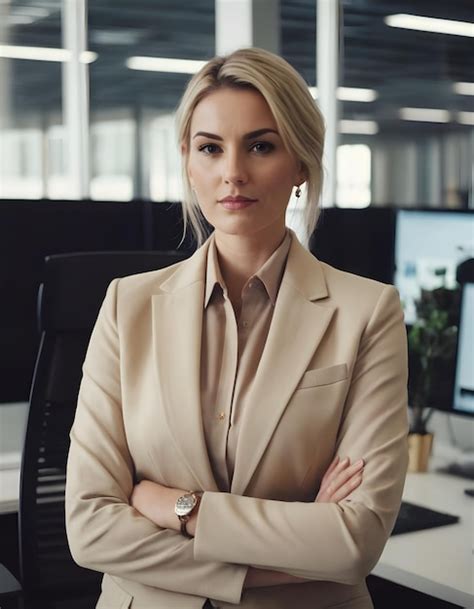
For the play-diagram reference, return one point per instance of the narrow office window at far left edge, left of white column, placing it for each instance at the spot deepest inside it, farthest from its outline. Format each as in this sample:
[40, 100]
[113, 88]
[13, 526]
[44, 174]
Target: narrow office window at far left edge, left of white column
[30, 95]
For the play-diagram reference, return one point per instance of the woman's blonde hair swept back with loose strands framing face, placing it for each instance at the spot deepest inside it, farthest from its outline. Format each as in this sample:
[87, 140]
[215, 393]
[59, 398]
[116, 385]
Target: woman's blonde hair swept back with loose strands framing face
[299, 121]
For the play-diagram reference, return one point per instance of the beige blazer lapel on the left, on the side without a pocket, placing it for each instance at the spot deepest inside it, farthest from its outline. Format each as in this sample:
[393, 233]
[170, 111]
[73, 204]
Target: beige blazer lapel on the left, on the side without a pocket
[177, 326]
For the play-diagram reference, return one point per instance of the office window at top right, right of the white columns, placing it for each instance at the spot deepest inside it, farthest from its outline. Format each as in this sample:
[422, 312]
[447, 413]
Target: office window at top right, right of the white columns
[406, 95]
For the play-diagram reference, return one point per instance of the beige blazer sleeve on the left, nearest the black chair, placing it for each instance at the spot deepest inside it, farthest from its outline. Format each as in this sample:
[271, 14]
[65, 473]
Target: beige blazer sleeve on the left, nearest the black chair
[104, 532]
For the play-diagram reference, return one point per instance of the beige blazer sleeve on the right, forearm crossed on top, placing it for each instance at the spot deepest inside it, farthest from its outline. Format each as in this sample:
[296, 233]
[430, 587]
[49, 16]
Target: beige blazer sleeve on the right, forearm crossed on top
[325, 541]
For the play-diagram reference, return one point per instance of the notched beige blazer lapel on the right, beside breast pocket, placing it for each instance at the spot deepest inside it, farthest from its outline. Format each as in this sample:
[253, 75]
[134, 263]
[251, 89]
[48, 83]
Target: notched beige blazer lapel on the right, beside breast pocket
[298, 325]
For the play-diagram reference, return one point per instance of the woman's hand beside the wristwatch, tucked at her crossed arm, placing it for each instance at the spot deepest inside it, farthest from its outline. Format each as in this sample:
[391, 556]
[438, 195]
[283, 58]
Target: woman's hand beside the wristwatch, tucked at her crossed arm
[156, 502]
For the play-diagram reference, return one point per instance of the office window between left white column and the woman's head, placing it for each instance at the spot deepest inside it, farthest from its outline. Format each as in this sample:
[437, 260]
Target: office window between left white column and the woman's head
[145, 162]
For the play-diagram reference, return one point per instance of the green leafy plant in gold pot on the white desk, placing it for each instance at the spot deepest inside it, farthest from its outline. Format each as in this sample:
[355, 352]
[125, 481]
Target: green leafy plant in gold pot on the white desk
[432, 344]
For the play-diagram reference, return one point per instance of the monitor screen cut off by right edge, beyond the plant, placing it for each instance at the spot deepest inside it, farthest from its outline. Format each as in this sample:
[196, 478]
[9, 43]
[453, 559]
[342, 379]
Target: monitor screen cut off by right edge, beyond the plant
[463, 402]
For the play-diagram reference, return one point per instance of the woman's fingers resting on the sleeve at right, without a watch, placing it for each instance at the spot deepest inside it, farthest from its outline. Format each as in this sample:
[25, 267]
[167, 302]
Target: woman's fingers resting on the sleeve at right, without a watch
[340, 480]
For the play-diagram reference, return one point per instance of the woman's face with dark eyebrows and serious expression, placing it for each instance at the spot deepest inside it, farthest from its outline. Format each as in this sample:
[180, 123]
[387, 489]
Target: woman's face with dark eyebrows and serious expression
[237, 164]
